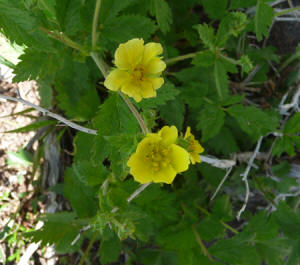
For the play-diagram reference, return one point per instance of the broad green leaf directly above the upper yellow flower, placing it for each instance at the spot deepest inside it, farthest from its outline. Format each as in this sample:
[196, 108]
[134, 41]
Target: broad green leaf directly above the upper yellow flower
[126, 27]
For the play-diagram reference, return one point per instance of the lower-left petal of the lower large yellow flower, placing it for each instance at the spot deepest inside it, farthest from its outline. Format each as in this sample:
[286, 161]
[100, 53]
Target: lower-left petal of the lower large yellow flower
[138, 170]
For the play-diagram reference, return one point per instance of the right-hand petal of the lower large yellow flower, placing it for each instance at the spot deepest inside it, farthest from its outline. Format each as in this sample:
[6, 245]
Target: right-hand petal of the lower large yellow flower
[179, 158]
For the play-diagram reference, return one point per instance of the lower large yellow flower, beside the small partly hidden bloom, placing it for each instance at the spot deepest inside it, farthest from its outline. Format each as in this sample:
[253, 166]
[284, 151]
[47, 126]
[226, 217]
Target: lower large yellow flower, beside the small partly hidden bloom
[158, 158]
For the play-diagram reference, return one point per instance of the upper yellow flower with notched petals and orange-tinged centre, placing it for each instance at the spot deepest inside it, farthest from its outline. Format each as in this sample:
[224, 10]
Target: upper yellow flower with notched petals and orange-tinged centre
[138, 69]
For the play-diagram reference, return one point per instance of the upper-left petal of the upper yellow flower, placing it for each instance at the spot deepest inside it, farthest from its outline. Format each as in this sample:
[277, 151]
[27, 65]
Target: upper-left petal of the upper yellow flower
[129, 54]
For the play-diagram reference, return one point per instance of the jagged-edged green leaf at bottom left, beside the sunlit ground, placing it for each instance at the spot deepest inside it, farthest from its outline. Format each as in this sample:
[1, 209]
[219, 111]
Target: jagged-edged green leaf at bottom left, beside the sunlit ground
[59, 229]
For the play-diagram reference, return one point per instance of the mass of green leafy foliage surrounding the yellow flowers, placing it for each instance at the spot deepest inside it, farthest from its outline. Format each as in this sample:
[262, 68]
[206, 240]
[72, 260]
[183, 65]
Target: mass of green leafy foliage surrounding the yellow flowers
[211, 86]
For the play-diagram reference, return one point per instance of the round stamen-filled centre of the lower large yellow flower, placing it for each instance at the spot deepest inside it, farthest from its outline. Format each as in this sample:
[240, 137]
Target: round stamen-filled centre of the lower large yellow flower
[157, 156]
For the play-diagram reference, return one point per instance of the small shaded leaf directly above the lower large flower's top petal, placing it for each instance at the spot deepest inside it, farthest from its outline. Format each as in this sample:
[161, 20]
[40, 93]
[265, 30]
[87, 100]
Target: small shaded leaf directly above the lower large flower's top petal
[167, 113]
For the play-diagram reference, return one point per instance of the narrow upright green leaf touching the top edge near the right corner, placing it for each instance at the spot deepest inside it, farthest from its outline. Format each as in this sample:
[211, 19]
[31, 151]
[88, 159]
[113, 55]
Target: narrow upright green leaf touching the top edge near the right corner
[263, 19]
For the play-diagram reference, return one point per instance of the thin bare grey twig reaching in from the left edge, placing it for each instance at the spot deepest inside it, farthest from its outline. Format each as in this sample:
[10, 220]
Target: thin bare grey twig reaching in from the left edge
[50, 114]
